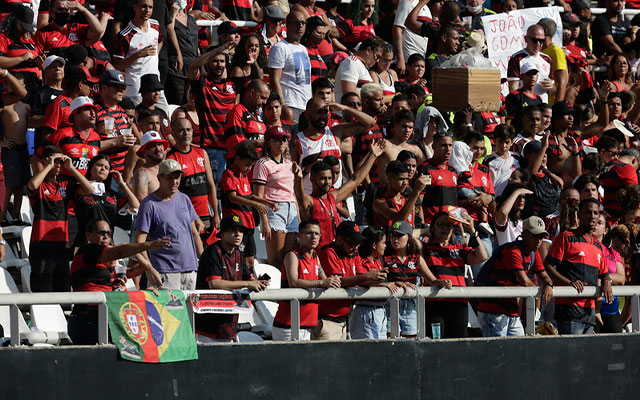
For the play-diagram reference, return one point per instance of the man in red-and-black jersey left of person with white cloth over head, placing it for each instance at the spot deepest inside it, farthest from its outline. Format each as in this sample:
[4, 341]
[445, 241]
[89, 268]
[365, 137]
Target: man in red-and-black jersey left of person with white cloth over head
[442, 192]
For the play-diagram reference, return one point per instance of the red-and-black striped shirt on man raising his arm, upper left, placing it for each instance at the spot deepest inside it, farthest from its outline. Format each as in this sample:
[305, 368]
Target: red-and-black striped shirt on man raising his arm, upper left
[216, 99]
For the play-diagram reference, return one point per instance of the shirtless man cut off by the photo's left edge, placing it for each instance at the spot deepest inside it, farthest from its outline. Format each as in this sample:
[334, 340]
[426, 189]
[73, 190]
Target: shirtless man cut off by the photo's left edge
[15, 156]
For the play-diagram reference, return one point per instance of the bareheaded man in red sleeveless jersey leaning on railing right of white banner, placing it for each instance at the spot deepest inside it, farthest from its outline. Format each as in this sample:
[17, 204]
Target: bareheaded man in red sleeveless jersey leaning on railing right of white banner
[301, 269]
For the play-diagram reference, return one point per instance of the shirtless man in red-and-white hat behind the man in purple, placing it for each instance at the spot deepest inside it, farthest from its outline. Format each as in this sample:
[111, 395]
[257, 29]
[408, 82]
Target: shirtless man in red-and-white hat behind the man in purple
[145, 177]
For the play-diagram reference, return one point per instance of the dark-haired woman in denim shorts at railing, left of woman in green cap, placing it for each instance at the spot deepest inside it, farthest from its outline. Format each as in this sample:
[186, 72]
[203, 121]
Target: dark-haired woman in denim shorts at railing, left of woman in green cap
[368, 320]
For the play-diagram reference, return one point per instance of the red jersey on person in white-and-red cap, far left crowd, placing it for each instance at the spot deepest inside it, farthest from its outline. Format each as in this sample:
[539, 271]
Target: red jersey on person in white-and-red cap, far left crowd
[78, 149]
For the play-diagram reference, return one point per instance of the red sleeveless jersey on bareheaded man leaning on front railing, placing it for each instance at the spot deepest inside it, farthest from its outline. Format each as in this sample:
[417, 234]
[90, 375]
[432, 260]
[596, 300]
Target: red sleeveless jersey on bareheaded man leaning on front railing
[308, 269]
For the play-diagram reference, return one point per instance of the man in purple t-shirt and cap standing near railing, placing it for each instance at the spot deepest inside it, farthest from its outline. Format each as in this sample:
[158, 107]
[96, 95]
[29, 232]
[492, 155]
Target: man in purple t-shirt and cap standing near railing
[169, 213]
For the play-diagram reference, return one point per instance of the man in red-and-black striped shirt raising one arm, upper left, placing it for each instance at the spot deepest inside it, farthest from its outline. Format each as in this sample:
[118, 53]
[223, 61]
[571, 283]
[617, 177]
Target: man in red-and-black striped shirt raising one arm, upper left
[215, 96]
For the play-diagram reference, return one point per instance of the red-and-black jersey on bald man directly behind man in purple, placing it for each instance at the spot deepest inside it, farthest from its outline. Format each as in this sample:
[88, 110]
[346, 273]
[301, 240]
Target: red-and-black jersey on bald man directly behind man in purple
[194, 178]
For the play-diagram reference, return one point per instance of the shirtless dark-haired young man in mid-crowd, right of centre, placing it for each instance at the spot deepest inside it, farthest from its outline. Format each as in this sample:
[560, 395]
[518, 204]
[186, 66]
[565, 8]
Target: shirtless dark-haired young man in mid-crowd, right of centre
[402, 131]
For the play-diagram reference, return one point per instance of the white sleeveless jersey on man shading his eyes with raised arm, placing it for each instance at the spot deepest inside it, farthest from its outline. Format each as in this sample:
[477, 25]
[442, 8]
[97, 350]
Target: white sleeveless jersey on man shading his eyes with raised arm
[313, 150]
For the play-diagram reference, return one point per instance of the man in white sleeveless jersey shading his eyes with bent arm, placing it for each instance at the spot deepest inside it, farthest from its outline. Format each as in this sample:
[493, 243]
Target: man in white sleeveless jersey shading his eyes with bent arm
[315, 140]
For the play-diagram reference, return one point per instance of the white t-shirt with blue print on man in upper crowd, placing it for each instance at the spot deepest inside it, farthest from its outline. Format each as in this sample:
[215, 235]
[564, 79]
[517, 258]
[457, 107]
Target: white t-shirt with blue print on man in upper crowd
[293, 60]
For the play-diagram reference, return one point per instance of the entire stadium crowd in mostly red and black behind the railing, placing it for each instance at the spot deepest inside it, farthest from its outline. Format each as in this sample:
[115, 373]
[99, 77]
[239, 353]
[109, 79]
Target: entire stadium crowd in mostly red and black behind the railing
[316, 127]
